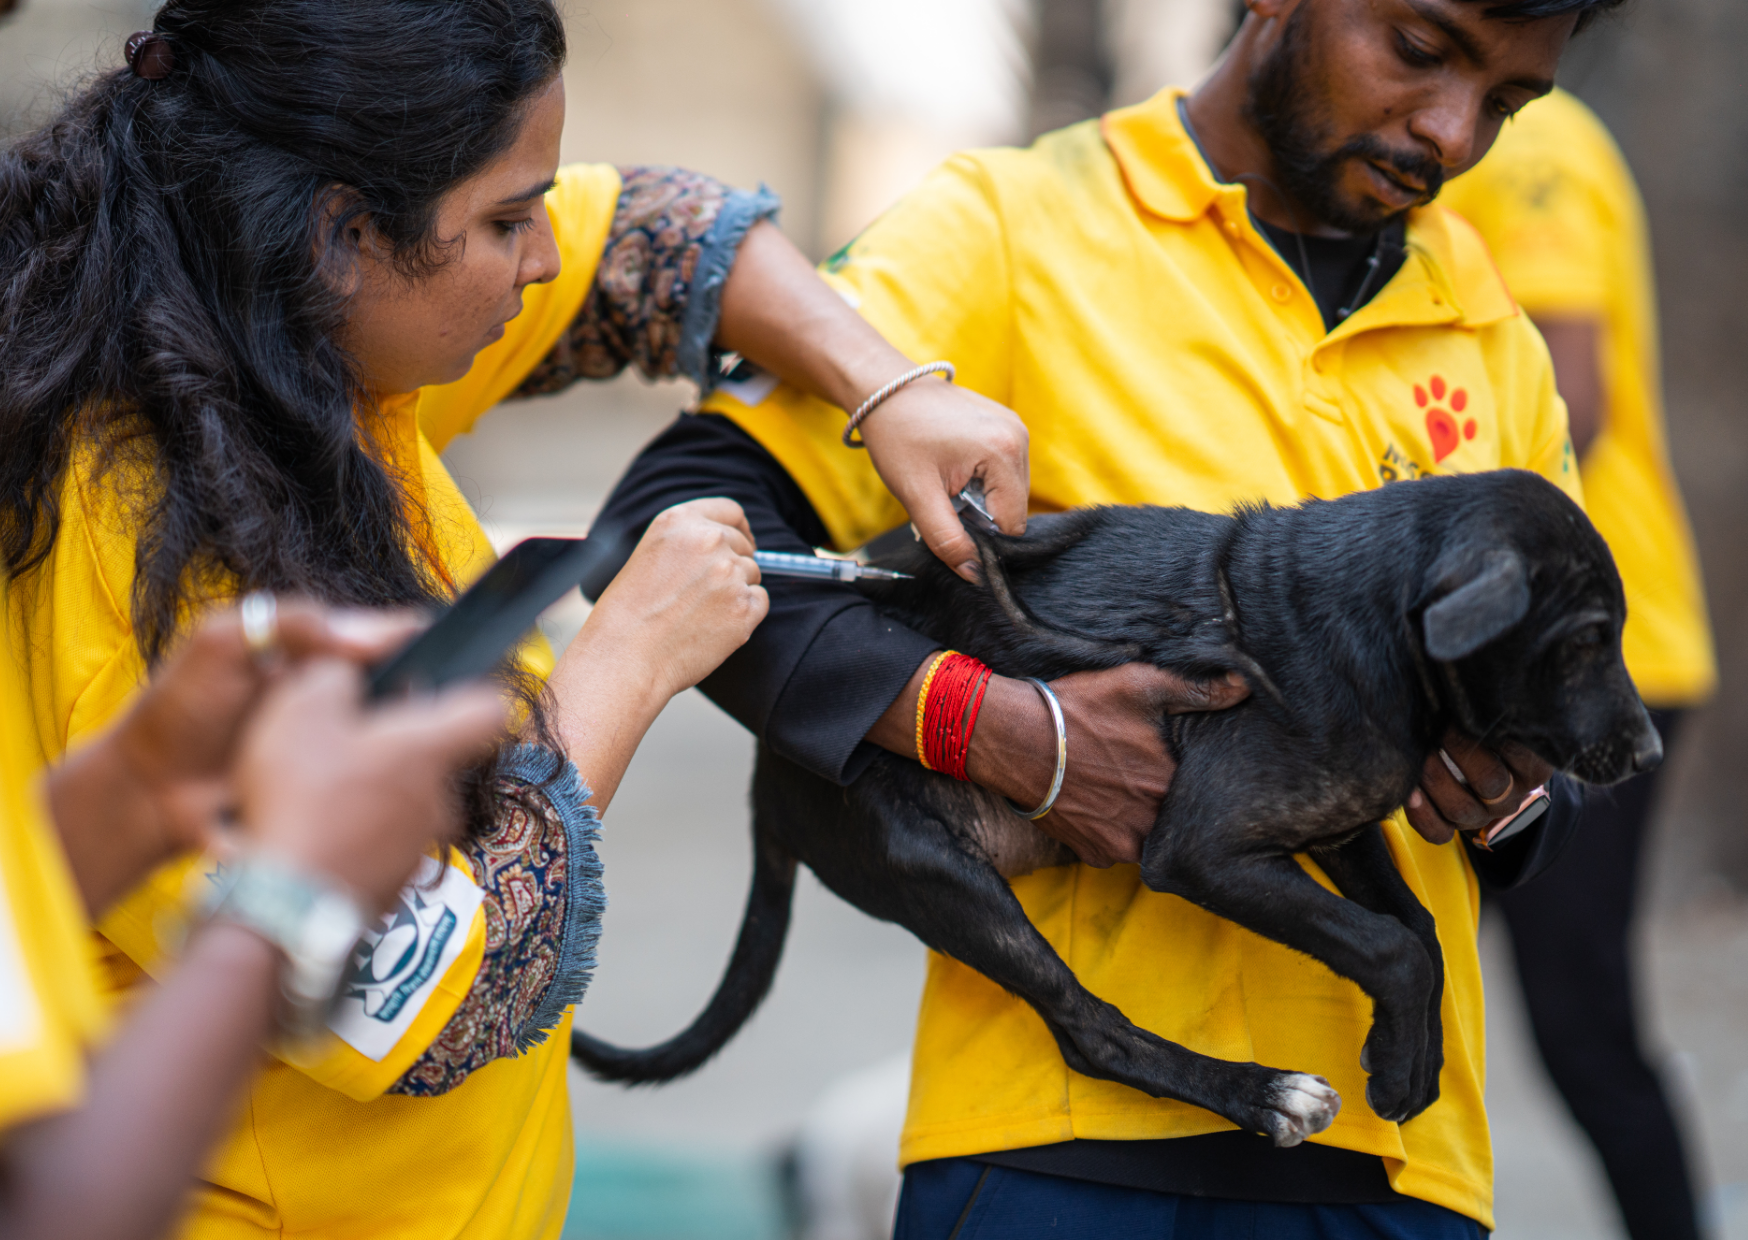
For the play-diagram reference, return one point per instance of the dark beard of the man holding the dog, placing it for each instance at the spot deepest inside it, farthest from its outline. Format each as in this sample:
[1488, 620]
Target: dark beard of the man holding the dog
[1282, 109]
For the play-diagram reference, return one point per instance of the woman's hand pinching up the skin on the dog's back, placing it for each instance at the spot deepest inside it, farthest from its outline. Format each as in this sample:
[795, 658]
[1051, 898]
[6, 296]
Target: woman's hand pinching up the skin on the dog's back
[929, 440]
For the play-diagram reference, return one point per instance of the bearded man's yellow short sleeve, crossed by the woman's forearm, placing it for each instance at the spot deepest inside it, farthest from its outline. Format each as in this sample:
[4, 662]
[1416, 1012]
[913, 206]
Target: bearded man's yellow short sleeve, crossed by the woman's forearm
[933, 277]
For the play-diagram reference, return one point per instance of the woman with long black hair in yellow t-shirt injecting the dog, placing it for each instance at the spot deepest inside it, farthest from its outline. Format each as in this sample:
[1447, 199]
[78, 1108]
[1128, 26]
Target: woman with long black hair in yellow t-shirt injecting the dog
[251, 286]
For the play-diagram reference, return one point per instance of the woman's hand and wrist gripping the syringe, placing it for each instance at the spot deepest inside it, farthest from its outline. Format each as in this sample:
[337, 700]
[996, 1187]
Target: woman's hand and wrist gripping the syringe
[686, 601]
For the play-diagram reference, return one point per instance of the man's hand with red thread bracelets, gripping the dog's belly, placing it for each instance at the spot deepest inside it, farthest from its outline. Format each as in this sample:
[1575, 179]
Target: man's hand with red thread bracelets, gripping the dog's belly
[1120, 767]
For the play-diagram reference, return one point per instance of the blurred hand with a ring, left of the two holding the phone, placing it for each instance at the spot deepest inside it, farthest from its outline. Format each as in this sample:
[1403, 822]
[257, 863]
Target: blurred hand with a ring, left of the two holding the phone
[155, 786]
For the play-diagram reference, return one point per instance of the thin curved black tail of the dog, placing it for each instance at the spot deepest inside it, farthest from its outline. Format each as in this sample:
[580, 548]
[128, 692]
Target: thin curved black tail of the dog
[740, 993]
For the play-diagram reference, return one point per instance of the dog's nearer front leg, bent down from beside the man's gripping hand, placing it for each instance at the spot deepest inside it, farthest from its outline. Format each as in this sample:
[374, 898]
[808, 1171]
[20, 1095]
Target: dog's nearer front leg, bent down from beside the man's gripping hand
[1212, 853]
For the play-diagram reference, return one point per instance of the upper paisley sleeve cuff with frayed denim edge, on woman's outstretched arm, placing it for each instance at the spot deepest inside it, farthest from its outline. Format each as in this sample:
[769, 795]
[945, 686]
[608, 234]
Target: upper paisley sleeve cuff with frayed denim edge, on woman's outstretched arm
[658, 289]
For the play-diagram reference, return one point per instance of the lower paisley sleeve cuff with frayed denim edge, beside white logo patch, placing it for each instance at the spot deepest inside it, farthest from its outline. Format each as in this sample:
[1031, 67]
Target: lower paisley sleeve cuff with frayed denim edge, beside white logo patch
[545, 902]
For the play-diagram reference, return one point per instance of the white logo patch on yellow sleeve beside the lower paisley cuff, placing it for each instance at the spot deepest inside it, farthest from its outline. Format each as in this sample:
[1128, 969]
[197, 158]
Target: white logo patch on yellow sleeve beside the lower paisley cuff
[401, 959]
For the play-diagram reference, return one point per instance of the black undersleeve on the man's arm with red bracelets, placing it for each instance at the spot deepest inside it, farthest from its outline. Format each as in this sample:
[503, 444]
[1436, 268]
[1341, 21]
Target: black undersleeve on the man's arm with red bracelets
[824, 665]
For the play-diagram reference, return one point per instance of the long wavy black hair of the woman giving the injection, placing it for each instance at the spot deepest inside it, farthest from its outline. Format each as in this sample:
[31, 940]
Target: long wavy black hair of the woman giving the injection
[172, 272]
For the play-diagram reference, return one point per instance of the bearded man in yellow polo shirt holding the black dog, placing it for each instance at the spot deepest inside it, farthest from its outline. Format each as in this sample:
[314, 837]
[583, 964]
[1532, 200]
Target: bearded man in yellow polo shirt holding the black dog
[1203, 300]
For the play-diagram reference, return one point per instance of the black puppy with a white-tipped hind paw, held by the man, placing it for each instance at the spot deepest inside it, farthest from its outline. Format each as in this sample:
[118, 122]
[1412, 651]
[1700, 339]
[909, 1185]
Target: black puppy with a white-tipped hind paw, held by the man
[1366, 625]
